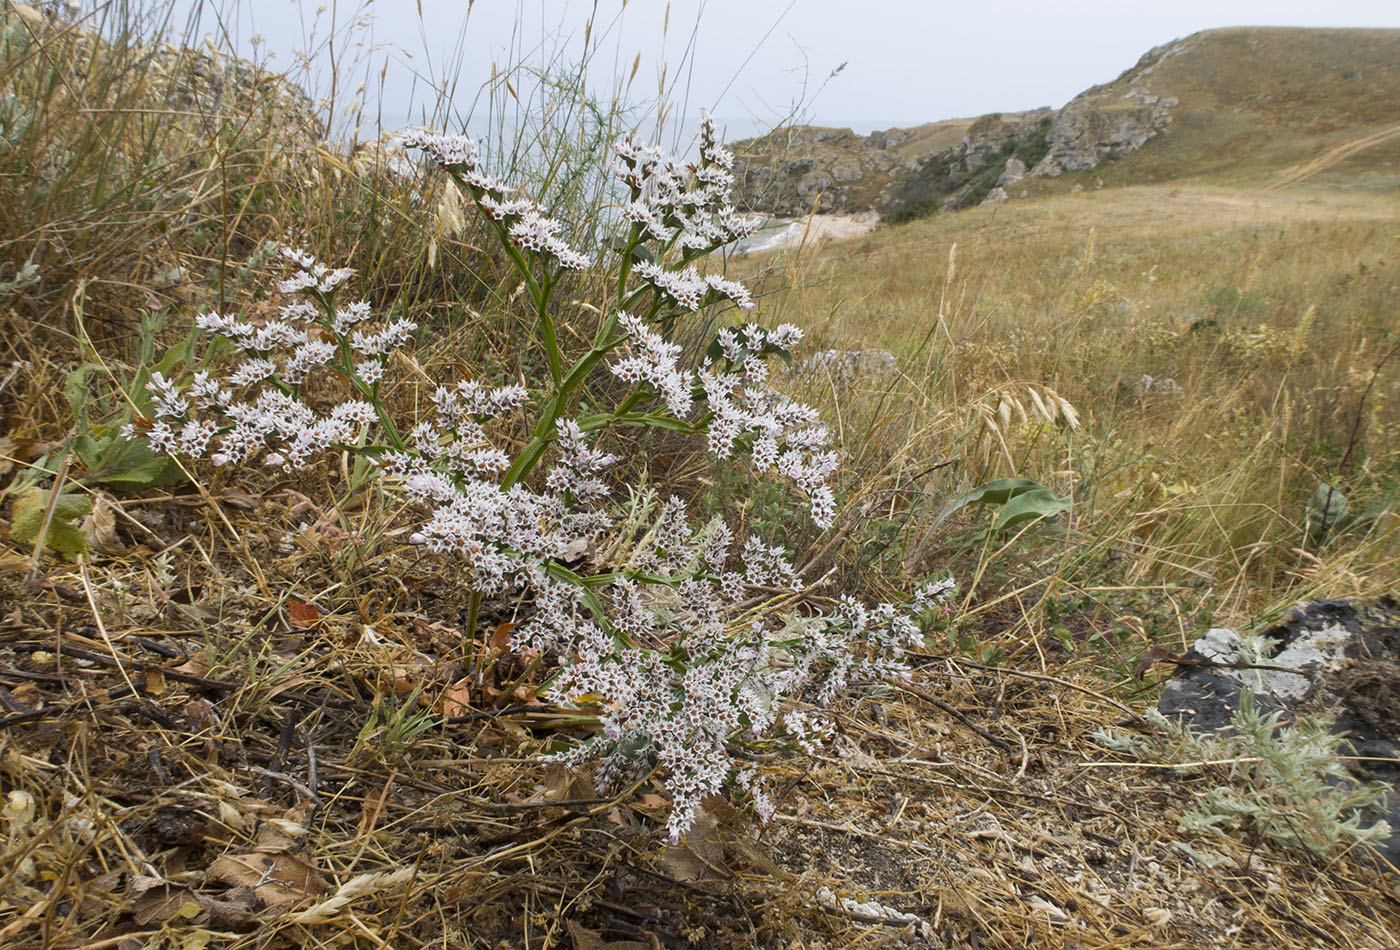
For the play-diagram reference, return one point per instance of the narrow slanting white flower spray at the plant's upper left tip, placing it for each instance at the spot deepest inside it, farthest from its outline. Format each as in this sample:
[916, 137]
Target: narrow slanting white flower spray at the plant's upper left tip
[527, 226]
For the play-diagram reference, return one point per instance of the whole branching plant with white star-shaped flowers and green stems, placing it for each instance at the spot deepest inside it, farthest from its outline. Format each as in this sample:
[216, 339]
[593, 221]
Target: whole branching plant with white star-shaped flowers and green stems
[663, 643]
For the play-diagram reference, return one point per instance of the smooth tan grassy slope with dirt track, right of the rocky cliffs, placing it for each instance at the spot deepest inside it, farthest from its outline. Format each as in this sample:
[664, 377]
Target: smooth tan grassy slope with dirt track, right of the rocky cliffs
[1256, 101]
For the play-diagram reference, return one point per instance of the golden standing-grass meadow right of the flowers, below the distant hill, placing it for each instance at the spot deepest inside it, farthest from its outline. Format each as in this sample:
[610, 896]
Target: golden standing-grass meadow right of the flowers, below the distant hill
[1270, 314]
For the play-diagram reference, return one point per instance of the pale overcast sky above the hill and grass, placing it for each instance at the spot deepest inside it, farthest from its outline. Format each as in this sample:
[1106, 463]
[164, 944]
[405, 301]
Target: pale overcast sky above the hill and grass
[906, 61]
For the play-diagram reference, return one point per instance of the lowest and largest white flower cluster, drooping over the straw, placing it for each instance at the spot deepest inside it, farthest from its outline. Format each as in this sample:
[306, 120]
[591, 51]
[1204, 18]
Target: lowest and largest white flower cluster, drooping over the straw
[675, 685]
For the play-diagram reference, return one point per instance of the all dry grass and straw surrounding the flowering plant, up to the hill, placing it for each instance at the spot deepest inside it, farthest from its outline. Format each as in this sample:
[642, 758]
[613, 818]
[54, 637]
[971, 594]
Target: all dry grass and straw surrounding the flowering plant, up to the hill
[250, 717]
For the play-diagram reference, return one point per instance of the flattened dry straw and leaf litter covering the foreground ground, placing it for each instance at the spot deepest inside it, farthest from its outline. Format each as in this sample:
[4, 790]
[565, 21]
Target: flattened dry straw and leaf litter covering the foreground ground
[202, 765]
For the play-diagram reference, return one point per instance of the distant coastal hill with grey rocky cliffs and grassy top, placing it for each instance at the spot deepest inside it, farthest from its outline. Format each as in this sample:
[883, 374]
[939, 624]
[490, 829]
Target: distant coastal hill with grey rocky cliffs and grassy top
[1248, 107]
